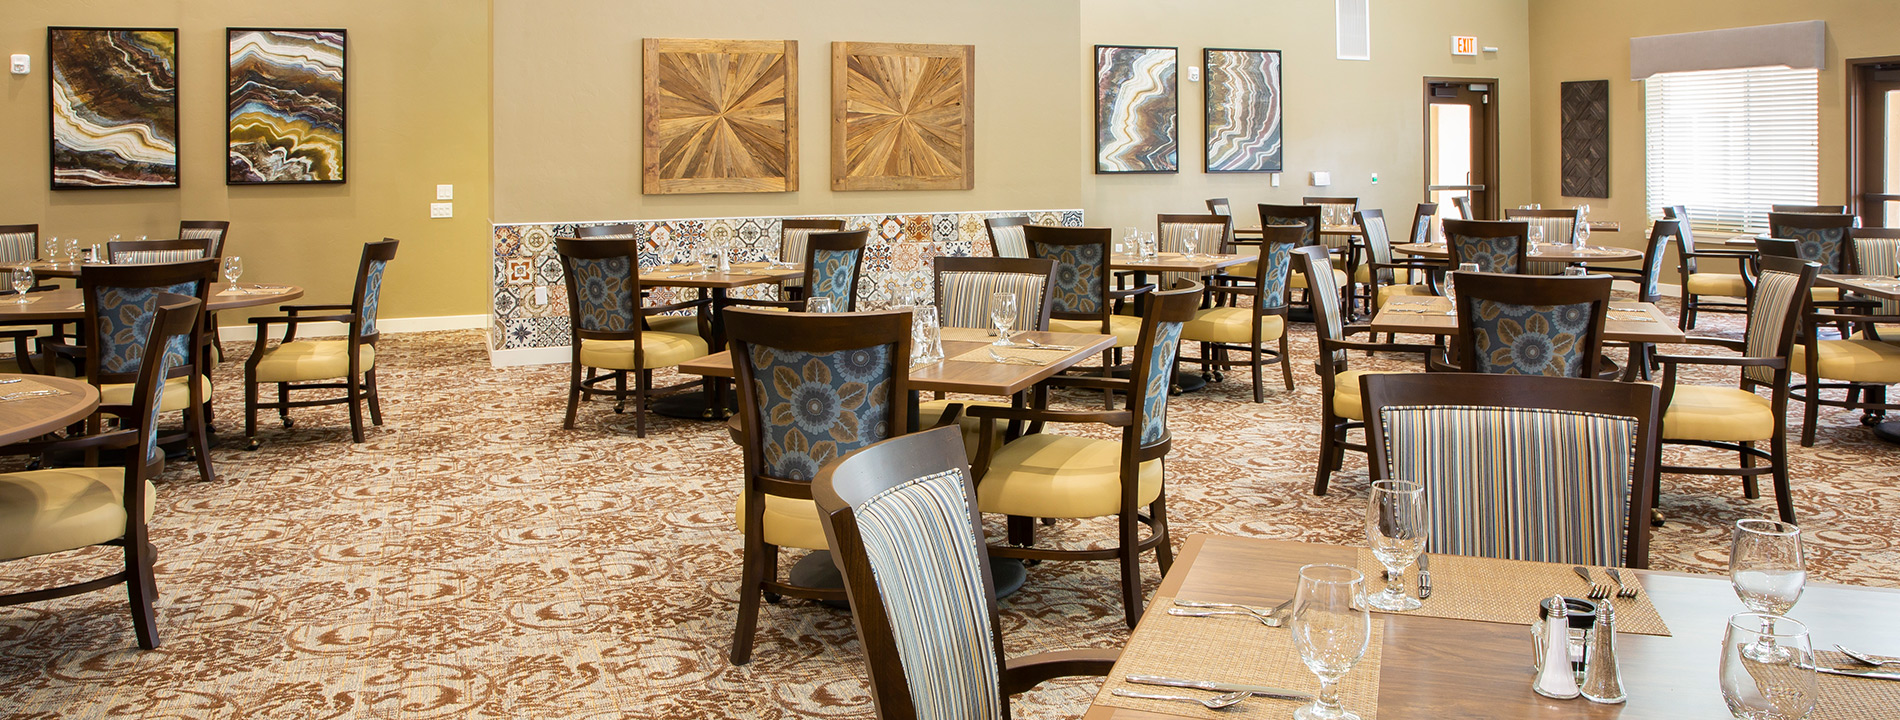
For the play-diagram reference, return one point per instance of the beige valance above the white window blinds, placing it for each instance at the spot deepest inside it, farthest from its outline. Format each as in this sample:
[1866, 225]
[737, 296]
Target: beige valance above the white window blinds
[1787, 45]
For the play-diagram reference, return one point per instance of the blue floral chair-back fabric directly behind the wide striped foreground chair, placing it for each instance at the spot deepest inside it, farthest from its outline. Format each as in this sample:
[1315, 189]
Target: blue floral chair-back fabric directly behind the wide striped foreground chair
[1513, 339]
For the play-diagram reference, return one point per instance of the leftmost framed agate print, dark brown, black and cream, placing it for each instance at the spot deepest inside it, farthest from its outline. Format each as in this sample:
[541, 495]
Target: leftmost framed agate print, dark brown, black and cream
[115, 100]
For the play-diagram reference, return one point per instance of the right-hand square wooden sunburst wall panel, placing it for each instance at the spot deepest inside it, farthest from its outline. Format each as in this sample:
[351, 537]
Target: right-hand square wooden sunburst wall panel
[903, 117]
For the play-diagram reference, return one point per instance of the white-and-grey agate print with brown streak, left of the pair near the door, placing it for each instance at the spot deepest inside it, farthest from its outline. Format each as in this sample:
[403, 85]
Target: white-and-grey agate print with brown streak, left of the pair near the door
[1137, 115]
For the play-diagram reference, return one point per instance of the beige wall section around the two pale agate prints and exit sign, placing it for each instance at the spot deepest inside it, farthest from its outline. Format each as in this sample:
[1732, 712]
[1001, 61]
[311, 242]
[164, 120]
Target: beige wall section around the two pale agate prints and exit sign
[1350, 119]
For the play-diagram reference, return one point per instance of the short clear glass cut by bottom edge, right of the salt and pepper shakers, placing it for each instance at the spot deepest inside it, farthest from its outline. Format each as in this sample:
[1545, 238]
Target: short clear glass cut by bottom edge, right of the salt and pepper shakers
[1768, 689]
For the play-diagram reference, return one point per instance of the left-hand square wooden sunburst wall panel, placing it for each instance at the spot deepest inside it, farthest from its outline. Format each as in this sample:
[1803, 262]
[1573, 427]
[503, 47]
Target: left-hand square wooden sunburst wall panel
[721, 117]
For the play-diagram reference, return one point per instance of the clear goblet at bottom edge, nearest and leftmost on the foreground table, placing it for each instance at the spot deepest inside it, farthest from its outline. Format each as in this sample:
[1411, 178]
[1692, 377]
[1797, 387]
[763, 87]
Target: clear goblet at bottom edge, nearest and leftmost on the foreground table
[1331, 628]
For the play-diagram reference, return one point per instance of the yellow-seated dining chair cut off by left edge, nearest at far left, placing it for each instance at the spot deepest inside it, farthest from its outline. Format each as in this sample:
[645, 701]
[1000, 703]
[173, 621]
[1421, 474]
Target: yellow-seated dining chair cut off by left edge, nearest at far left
[62, 510]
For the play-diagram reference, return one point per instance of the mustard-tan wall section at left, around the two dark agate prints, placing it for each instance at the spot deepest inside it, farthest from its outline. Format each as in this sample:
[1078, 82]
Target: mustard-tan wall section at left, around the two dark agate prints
[417, 117]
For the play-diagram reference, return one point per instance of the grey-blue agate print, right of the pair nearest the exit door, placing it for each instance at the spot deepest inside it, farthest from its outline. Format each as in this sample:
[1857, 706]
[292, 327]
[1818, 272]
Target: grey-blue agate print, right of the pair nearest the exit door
[1244, 111]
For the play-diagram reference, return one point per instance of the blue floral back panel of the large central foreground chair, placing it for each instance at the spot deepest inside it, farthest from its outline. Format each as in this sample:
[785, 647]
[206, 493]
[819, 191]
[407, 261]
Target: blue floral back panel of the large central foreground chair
[820, 407]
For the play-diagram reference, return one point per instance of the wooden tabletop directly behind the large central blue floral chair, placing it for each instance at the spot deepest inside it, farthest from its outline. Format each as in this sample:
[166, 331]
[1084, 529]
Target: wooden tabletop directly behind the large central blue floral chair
[957, 377]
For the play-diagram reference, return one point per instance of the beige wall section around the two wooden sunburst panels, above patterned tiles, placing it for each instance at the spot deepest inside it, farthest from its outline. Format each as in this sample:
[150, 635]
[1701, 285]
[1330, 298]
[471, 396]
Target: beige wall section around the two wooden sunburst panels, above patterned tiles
[567, 115]
